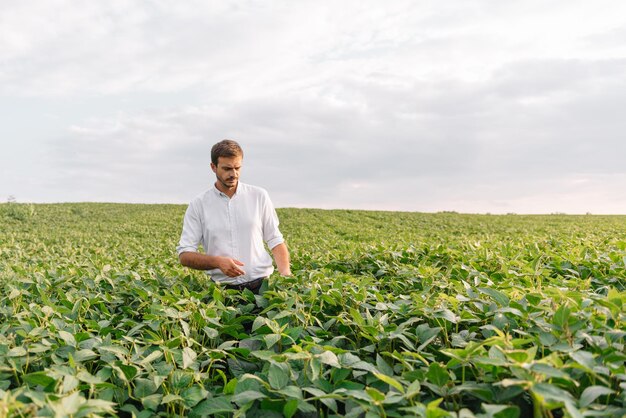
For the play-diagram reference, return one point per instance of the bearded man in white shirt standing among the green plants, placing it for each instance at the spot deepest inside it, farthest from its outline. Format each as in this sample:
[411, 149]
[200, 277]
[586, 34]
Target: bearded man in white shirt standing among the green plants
[232, 220]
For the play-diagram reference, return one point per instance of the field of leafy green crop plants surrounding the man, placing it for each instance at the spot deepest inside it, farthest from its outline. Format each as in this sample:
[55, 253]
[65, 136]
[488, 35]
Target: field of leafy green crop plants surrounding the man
[387, 315]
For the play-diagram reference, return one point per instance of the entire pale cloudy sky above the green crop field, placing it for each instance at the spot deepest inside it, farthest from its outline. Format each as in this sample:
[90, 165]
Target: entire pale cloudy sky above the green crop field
[475, 106]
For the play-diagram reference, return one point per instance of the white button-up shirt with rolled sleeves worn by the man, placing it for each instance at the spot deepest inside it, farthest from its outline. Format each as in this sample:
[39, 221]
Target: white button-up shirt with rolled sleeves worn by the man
[233, 227]
